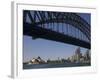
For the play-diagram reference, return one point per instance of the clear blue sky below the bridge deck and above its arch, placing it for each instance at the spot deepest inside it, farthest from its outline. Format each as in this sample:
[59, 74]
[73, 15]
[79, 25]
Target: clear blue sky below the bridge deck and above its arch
[47, 49]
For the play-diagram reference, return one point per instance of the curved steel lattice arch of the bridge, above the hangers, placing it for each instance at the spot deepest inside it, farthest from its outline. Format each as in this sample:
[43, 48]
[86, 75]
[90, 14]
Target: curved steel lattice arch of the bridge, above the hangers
[46, 17]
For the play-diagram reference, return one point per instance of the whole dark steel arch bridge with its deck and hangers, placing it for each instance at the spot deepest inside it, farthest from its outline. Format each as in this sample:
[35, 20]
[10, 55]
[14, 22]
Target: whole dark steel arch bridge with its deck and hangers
[57, 26]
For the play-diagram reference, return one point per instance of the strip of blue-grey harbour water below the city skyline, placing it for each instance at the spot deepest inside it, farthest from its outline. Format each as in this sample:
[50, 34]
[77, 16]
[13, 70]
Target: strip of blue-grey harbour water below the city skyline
[38, 66]
